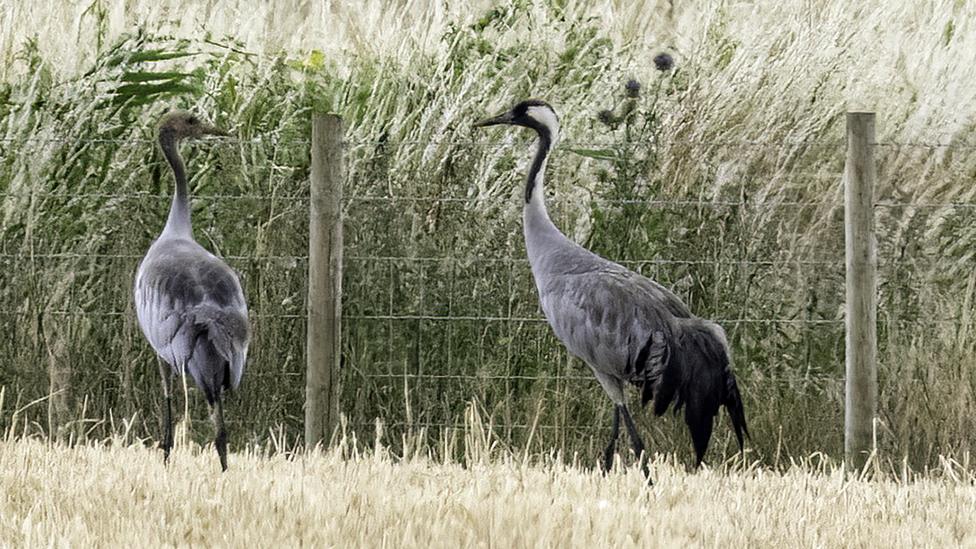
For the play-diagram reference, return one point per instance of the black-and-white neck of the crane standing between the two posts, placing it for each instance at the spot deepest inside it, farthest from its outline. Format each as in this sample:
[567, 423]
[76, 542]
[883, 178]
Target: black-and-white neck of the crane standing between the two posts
[541, 235]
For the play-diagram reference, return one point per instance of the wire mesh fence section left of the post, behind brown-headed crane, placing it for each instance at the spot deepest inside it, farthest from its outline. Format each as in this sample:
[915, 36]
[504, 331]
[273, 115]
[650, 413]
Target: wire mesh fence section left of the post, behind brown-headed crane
[78, 217]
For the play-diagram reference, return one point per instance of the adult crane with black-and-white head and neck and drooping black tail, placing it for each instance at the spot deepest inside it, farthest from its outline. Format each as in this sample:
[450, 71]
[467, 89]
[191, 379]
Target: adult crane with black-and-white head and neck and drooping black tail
[626, 327]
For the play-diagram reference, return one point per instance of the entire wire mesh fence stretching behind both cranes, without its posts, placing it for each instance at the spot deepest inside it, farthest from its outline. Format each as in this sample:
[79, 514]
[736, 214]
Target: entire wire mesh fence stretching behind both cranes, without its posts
[439, 307]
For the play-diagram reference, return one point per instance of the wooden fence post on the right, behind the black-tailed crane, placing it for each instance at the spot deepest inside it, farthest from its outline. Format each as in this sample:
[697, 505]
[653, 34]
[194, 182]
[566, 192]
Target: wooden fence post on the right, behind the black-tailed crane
[861, 398]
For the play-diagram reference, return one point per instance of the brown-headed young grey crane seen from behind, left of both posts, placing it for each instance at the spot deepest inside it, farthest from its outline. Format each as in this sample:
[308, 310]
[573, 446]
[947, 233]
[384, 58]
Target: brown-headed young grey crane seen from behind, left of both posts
[189, 302]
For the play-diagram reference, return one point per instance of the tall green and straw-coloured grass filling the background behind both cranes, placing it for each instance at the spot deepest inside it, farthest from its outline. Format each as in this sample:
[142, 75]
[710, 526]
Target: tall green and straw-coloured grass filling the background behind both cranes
[743, 142]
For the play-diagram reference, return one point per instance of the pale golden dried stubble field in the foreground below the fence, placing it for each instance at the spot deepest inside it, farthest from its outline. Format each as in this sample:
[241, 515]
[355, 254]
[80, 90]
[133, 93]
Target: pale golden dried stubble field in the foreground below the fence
[117, 494]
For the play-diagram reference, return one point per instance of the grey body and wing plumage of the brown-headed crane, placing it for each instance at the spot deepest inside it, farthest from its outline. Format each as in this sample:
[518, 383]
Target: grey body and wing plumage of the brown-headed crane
[191, 307]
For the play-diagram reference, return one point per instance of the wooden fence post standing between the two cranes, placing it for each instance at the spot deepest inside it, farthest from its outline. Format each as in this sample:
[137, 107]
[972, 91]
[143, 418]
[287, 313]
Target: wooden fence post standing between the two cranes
[324, 281]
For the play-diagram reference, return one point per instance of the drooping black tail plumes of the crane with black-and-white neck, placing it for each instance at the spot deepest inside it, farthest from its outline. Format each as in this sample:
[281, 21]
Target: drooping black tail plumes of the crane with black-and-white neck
[698, 376]
